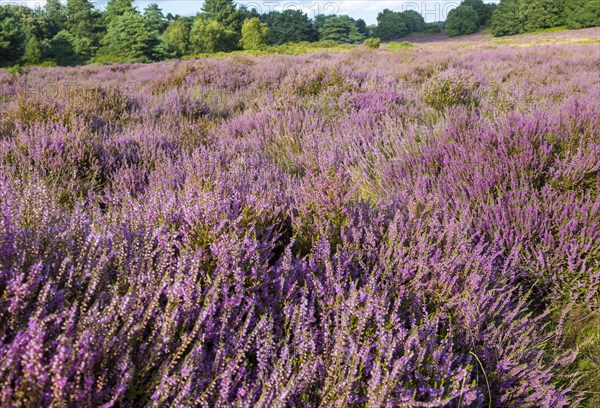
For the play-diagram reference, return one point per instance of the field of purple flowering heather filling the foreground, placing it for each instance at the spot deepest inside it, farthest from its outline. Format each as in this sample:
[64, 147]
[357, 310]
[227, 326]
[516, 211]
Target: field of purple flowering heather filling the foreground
[418, 228]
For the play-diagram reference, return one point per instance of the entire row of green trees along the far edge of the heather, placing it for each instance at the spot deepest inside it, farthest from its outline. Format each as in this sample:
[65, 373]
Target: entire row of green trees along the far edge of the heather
[77, 33]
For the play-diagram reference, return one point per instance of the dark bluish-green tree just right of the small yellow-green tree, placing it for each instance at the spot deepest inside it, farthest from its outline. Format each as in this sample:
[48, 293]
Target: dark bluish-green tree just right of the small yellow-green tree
[289, 26]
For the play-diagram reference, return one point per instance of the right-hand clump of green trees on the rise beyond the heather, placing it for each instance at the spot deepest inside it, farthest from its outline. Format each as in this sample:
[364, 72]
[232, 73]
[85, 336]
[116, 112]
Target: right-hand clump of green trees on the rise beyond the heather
[521, 16]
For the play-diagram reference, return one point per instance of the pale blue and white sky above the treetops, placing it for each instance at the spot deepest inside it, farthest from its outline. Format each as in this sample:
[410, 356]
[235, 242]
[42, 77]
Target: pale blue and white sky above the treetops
[432, 10]
